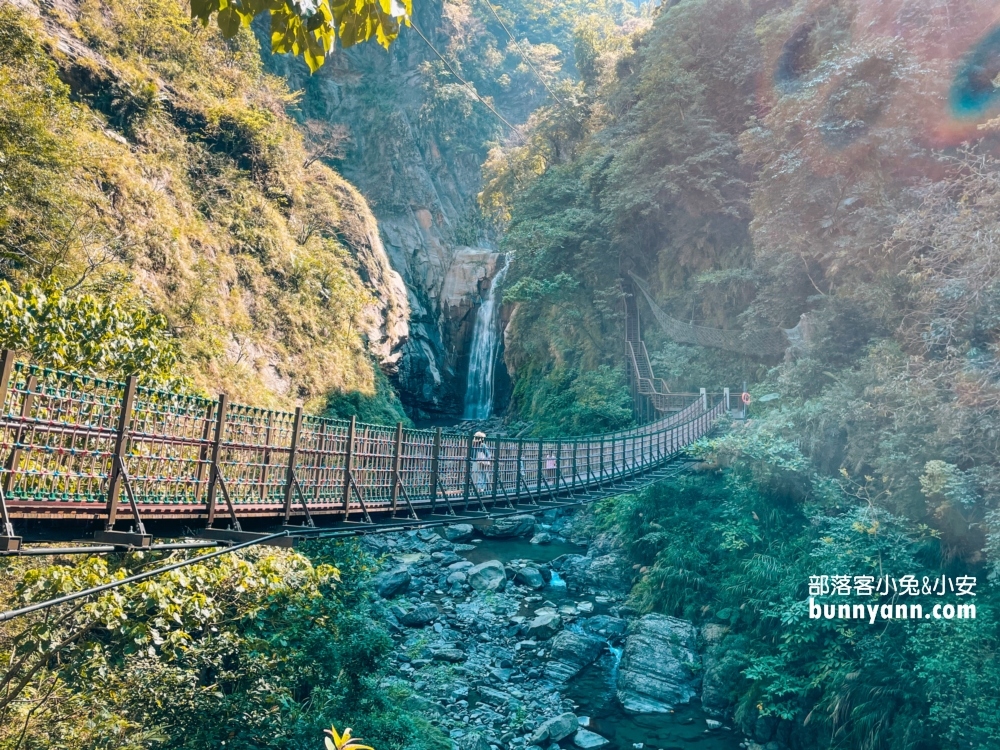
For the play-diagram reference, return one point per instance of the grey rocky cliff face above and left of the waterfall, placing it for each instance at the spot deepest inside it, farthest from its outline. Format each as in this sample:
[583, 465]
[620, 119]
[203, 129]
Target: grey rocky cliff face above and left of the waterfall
[413, 138]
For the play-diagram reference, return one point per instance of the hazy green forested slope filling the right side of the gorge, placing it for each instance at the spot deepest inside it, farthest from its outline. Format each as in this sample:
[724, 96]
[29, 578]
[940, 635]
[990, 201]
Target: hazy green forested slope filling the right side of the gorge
[753, 166]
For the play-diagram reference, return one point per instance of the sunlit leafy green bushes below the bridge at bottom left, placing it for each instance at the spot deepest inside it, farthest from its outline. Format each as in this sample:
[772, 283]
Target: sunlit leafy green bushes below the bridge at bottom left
[259, 649]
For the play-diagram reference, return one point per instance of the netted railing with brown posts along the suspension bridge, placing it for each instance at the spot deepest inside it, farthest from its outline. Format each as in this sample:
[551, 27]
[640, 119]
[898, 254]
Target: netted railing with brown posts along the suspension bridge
[75, 446]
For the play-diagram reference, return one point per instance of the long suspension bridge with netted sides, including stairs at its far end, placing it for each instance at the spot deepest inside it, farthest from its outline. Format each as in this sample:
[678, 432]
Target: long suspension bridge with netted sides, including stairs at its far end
[114, 463]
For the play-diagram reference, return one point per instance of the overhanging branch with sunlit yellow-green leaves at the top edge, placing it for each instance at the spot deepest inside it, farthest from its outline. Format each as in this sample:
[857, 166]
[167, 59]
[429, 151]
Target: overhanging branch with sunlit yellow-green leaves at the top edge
[309, 28]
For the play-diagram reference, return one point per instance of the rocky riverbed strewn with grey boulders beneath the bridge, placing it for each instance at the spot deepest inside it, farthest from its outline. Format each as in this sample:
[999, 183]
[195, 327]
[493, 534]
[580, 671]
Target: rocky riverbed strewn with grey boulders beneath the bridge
[518, 636]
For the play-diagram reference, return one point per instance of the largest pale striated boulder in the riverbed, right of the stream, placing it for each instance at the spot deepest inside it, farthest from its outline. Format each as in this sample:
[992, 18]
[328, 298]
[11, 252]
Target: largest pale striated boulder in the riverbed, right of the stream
[655, 671]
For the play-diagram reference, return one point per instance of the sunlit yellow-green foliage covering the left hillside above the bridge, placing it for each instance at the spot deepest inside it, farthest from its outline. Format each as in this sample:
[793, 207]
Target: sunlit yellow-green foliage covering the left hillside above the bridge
[145, 157]
